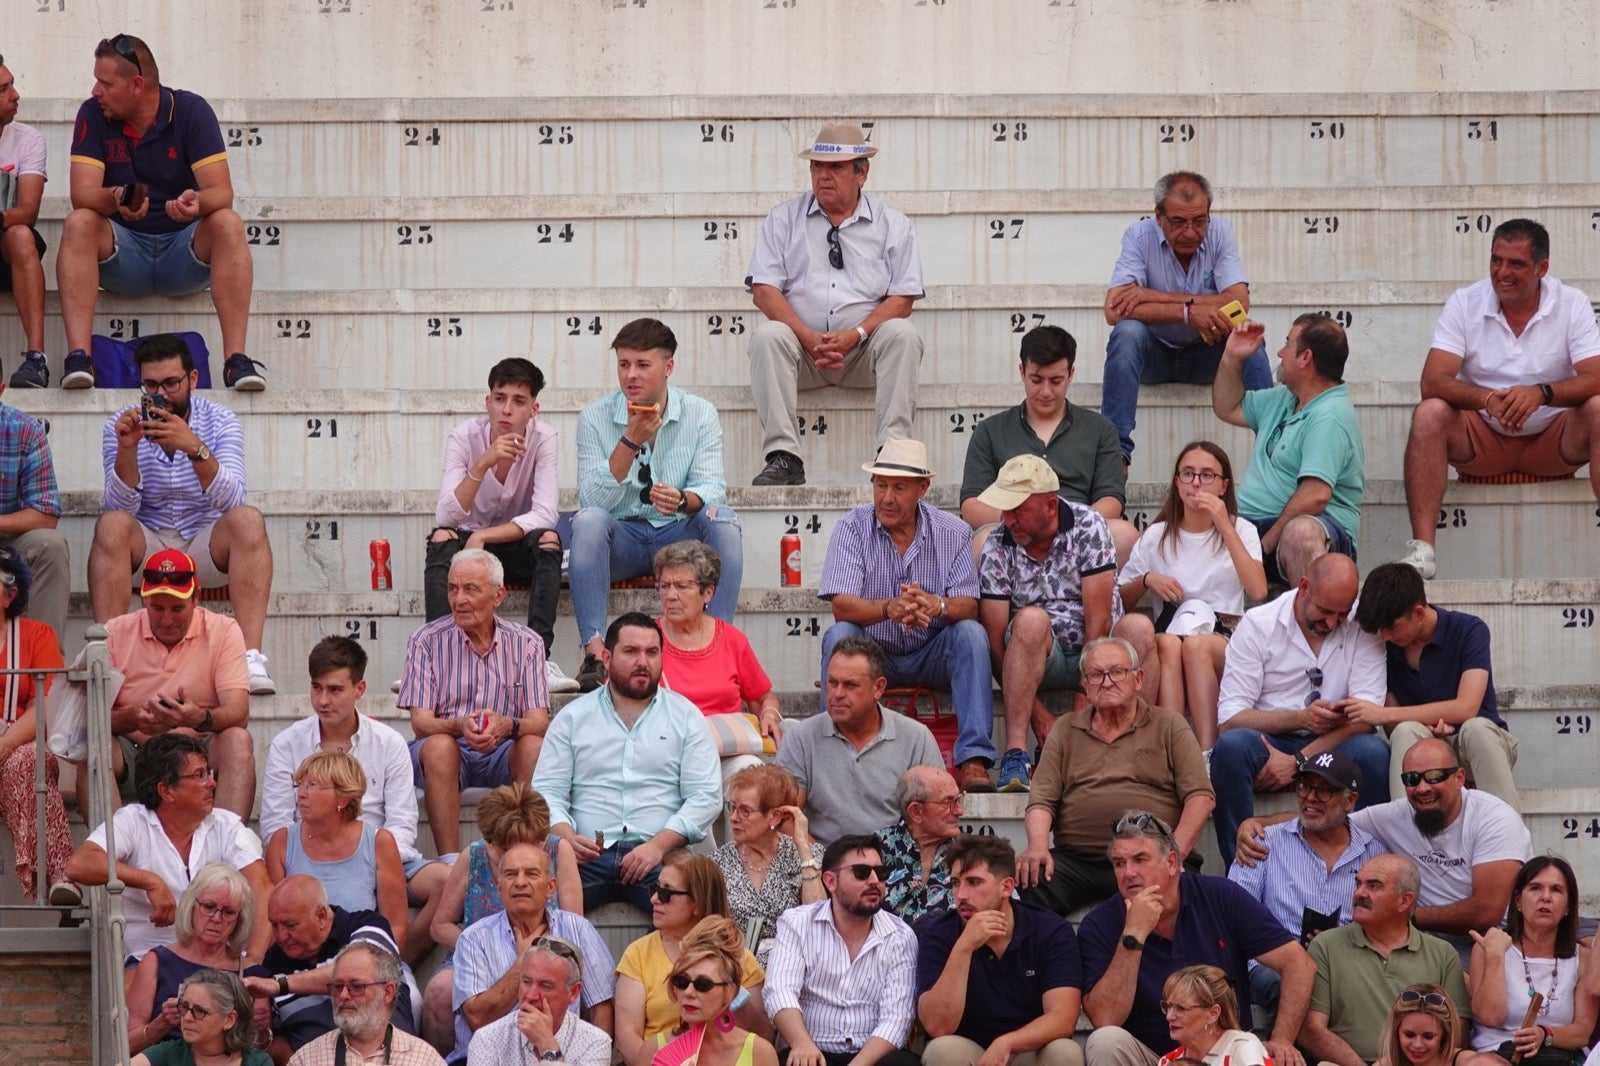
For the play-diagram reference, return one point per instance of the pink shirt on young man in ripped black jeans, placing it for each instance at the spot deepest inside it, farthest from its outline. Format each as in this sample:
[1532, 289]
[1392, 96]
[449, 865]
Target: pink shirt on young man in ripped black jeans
[530, 491]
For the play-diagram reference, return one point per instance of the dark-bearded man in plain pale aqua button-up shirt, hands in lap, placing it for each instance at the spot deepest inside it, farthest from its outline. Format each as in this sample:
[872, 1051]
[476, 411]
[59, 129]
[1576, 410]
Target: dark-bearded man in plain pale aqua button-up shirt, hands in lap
[630, 771]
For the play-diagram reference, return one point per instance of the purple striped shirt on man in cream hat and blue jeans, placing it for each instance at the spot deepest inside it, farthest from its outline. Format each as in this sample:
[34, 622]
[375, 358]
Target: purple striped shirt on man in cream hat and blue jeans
[863, 561]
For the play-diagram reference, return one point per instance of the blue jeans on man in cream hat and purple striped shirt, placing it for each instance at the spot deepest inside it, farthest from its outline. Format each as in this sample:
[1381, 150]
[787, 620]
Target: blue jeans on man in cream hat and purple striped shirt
[956, 662]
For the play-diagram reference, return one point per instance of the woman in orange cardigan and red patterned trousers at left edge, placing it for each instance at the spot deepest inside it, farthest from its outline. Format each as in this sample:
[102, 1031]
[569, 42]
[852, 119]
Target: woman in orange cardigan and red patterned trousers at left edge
[28, 644]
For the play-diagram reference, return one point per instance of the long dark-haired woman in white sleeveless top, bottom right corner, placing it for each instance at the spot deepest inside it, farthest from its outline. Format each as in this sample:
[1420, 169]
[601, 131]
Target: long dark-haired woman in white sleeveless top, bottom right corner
[1538, 952]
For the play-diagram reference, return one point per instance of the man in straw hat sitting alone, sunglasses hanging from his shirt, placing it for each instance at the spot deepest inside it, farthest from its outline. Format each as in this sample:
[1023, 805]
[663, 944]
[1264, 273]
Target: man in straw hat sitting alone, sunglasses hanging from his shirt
[836, 275]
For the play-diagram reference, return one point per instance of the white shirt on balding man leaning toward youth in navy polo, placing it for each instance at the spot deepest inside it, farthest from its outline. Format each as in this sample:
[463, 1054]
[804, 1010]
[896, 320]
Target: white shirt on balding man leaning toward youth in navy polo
[1268, 663]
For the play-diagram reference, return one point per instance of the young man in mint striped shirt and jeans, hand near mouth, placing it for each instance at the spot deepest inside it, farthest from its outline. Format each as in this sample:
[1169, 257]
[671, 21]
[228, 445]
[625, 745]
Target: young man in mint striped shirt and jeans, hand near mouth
[649, 476]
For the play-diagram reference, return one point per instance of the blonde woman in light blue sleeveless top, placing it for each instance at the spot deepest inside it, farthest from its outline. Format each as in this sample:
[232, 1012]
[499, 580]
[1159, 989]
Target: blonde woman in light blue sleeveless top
[359, 865]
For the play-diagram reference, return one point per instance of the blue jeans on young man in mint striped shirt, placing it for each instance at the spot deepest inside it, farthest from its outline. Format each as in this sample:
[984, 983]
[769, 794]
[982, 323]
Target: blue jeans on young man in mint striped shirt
[609, 550]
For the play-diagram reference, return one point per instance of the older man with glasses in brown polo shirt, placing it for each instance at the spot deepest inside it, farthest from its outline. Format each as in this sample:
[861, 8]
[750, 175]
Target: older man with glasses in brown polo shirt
[1116, 751]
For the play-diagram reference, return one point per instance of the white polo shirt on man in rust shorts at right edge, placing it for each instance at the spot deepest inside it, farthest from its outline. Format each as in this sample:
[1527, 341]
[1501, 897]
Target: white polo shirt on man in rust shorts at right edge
[1559, 337]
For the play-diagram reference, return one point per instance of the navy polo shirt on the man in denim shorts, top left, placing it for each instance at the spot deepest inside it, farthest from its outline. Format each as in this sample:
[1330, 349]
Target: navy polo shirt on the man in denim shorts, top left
[185, 138]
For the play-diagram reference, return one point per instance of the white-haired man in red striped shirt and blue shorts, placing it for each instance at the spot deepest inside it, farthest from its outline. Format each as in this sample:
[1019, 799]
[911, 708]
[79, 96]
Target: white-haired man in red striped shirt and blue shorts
[476, 689]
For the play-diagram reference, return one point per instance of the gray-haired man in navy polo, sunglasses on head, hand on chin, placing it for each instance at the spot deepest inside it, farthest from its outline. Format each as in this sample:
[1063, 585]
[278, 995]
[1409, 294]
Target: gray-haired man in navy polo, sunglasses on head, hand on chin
[1162, 921]
